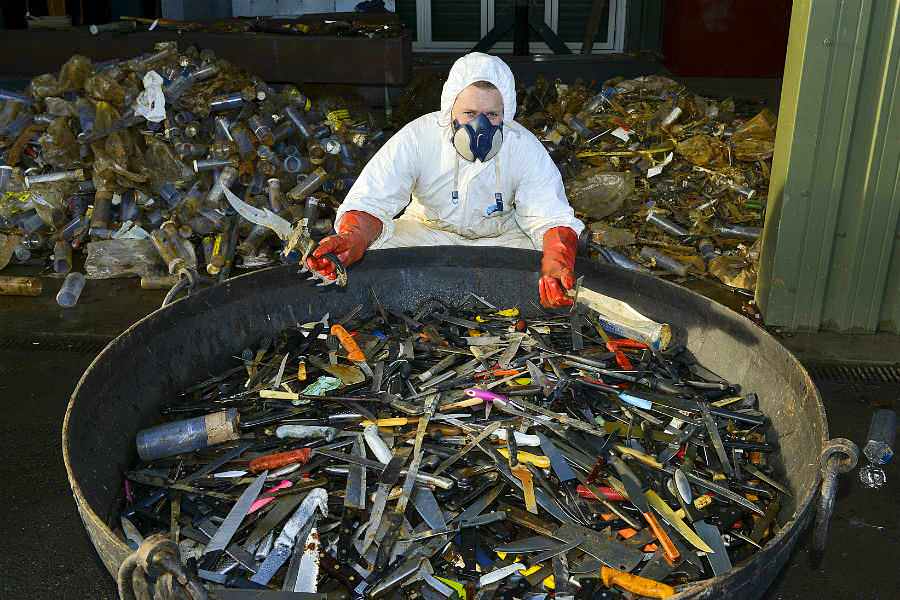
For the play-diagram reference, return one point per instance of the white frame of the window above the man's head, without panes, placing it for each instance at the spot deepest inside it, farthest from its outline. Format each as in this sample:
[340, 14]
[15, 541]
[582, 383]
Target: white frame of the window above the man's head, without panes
[615, 33]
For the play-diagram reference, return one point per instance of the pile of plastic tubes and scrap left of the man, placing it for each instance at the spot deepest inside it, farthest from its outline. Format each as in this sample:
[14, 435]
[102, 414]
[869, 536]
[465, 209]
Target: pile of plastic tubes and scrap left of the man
[131, 160]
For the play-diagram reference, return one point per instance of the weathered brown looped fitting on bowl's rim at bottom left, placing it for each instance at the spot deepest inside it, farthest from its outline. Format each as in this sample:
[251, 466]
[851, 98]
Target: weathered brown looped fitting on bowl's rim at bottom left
[154, 572]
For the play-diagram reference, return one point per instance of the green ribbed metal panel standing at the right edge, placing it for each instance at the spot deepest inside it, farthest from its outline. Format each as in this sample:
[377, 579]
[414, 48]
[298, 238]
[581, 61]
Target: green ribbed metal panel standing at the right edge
[831, 257]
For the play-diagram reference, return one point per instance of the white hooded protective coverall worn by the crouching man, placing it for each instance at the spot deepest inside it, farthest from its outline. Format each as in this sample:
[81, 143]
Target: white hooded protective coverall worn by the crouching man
[419, 168]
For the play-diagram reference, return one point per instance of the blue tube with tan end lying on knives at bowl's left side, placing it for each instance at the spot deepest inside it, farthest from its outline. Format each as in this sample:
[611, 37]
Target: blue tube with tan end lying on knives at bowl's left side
[188, 435]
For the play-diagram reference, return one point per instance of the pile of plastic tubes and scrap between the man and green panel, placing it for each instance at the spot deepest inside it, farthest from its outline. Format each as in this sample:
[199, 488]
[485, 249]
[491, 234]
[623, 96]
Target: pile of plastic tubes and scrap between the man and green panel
[666, 179]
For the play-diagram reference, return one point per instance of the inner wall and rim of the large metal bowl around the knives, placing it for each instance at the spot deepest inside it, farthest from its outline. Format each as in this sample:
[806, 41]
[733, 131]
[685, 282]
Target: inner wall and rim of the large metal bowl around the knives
[198, 336]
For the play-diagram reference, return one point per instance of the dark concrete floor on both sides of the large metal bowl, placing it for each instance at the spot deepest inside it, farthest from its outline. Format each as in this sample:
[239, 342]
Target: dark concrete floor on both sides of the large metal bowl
[44, 551]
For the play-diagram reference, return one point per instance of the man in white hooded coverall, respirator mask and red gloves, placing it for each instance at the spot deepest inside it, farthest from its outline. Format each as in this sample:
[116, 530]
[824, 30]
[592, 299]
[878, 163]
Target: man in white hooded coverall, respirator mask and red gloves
[466, 175]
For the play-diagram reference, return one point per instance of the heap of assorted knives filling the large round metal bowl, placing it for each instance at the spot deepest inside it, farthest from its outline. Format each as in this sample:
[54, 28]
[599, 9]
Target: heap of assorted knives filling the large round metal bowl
[459, 451]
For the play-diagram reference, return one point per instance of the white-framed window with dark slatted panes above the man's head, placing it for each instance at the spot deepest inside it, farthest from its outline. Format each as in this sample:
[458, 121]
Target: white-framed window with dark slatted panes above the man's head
[454, 25]
